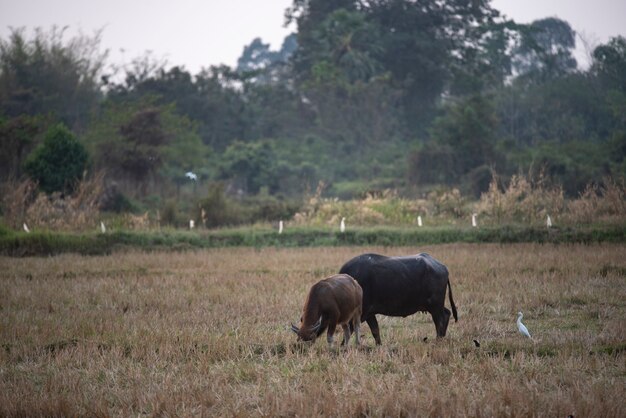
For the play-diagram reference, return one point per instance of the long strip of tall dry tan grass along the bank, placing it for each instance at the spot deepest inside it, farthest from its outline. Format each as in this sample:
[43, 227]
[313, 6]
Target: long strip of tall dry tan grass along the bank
[521, 201]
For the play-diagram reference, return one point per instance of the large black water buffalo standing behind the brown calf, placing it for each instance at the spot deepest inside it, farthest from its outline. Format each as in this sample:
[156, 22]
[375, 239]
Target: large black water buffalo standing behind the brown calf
[401, 286]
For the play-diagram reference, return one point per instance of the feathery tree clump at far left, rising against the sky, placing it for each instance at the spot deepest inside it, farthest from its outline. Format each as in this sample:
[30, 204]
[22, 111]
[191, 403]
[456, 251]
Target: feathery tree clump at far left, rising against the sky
[48, 74]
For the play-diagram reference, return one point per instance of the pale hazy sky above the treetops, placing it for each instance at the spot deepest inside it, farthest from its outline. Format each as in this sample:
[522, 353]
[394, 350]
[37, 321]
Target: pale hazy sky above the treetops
[199, 33]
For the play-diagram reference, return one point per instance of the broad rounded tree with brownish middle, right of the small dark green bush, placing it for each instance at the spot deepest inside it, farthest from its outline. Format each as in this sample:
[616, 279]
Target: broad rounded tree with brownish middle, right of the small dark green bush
[138, 143]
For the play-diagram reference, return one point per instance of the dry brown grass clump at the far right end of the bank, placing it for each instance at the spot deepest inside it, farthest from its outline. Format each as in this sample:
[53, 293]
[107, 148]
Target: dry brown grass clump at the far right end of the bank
[600, 203]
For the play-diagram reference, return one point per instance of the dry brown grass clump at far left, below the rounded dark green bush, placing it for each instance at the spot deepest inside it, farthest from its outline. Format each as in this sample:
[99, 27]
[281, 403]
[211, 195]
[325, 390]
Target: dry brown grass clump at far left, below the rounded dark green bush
[78, 211]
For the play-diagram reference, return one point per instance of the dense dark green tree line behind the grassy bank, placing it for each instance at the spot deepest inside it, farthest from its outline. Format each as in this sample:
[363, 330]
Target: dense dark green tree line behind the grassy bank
[365, 96]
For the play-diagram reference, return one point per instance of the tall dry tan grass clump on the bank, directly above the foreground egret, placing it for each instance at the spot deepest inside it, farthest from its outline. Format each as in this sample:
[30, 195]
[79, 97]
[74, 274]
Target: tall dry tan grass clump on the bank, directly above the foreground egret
[523, 200]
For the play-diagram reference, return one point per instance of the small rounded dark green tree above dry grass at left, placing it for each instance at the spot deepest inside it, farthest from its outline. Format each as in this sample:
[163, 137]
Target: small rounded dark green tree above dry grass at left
[59, 162]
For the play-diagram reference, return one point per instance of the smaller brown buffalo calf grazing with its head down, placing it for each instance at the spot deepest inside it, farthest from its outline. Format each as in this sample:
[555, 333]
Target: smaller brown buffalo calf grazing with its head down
[331, 302]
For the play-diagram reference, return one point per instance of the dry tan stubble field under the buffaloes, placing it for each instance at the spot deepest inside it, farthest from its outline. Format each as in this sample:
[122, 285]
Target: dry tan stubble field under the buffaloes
[206, 333]
